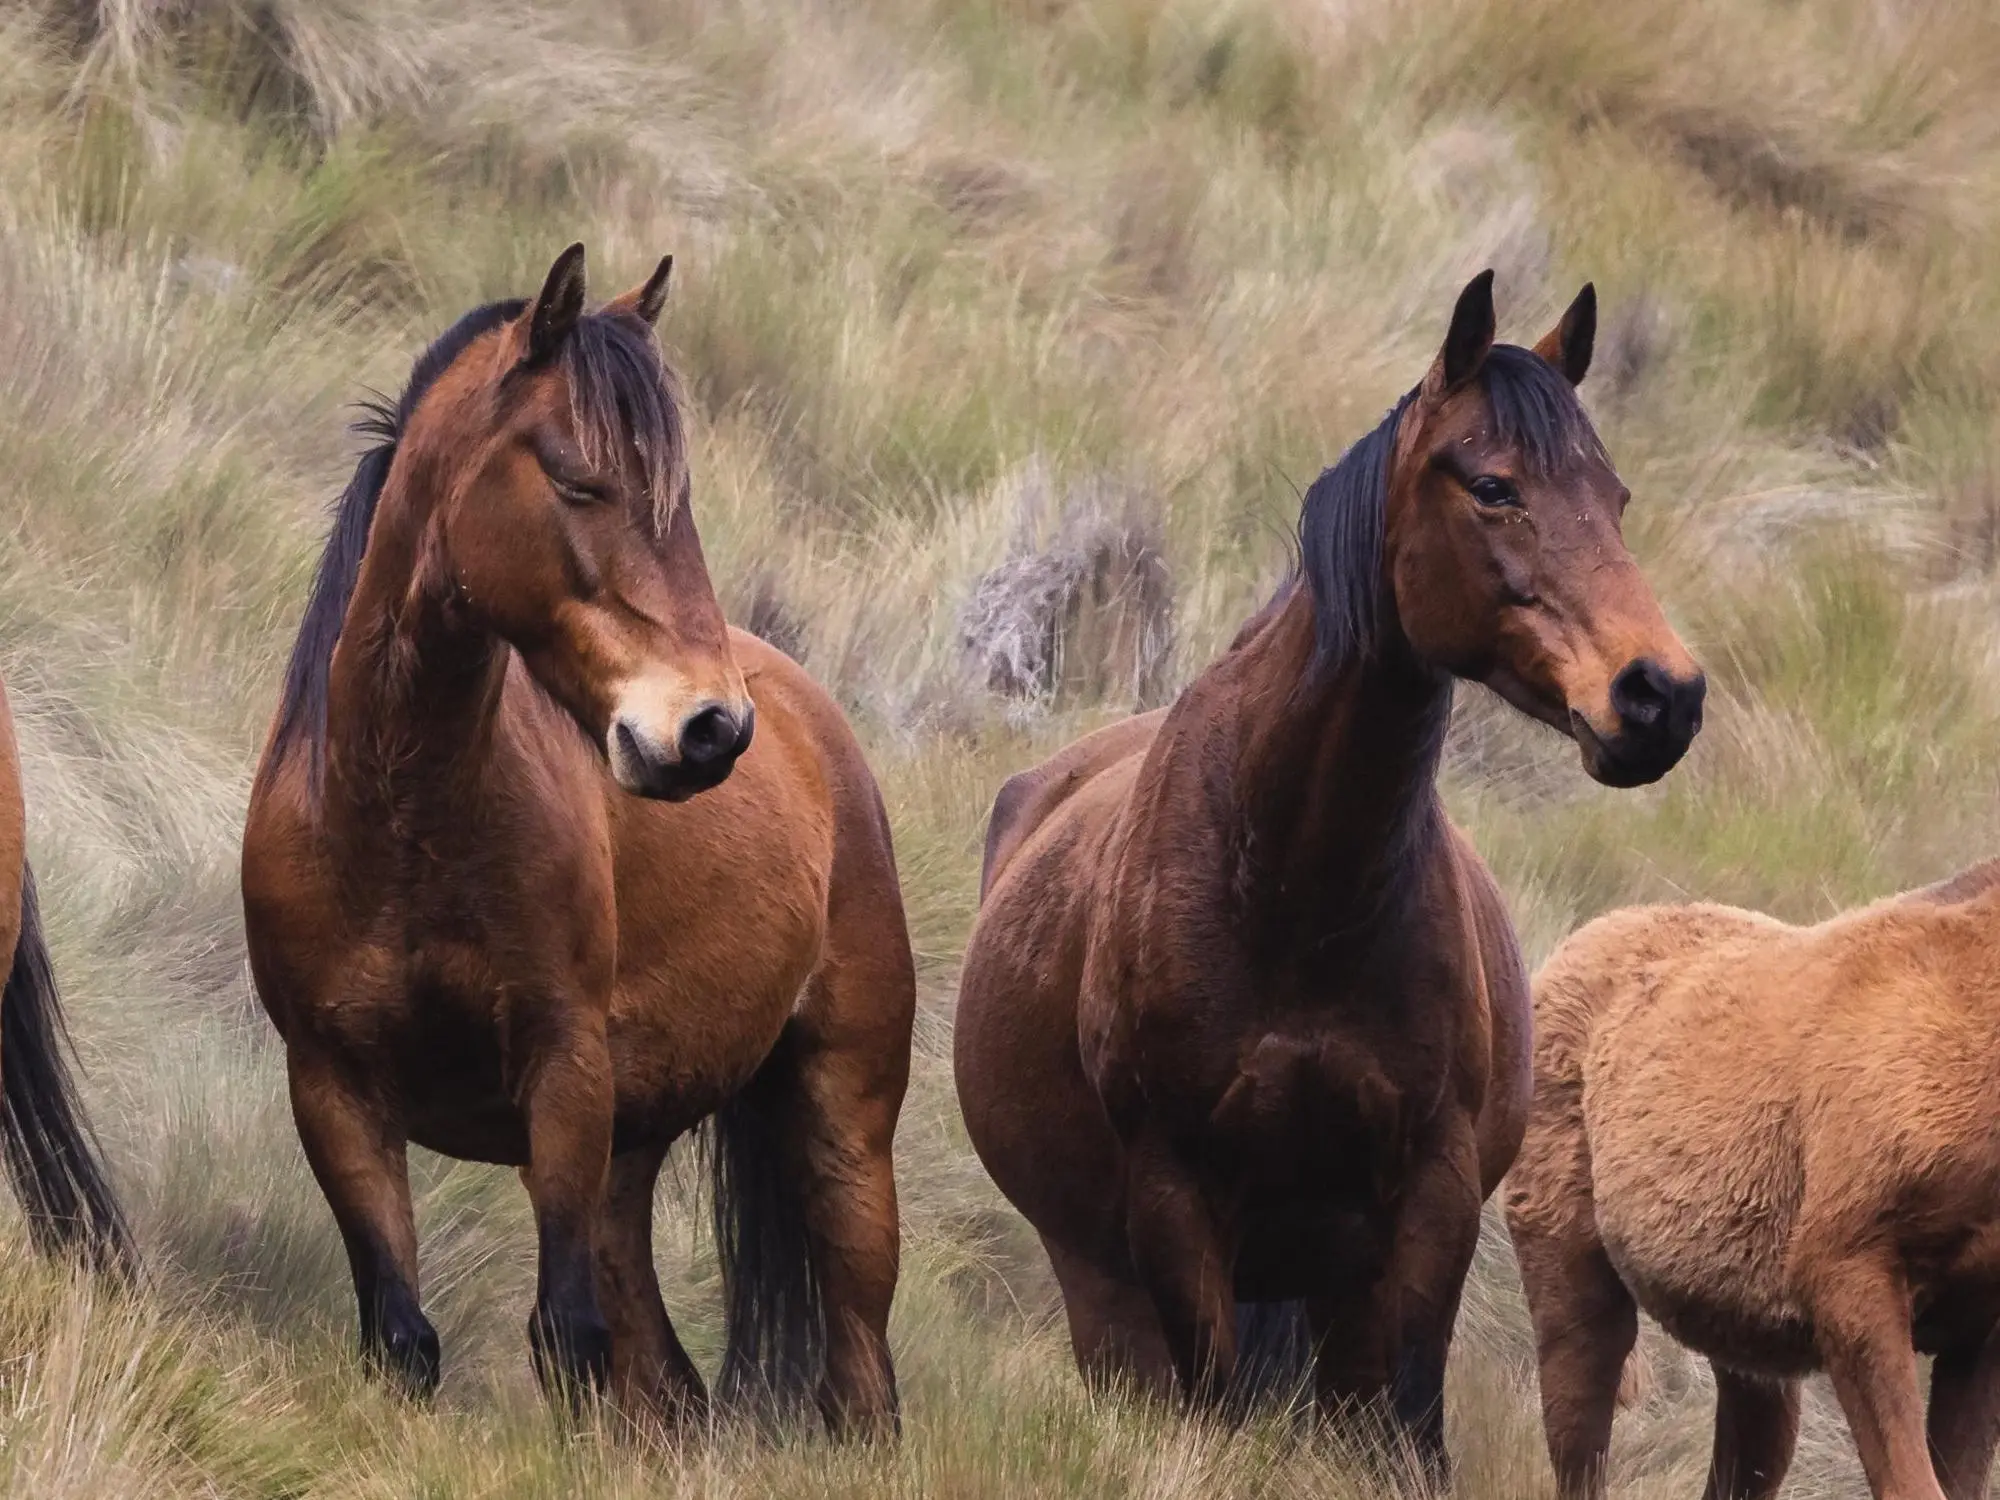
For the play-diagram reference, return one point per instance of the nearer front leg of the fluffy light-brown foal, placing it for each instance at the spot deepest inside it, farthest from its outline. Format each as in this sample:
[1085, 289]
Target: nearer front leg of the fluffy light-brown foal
[1861, 1309]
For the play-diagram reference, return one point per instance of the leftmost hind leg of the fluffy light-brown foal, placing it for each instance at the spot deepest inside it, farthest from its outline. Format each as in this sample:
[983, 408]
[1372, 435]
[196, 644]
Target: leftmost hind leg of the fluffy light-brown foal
[1585, 1329]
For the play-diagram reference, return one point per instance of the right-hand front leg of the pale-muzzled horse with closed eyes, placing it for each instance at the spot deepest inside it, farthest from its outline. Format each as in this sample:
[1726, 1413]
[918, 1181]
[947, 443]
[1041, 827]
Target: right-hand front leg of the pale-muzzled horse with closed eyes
[569, 1105]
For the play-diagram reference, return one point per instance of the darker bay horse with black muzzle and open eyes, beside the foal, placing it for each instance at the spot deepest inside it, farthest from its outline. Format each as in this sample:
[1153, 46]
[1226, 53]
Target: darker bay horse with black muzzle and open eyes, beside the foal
[1243, 1019]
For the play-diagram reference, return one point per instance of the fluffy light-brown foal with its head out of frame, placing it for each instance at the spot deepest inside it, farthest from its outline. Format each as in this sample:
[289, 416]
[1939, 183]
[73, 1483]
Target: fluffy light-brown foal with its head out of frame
[1781, 1145]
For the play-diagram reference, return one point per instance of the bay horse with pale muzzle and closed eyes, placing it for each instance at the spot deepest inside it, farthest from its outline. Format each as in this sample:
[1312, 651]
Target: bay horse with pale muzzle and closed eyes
[521, 889]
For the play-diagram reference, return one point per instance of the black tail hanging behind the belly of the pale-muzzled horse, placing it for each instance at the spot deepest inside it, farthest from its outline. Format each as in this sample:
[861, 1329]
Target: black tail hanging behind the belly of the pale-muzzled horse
[775, 1321]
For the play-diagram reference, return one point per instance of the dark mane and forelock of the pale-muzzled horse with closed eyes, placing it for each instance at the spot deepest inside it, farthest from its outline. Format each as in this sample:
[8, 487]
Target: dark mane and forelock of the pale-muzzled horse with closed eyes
[621, 393]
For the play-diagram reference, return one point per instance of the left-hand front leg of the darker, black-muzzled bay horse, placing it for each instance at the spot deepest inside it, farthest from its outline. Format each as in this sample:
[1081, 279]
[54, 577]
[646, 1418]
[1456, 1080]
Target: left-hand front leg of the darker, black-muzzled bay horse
[1185, 1265]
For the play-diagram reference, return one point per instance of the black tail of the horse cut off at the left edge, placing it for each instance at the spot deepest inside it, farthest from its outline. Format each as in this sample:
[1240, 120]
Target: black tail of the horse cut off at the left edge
[51, 1155]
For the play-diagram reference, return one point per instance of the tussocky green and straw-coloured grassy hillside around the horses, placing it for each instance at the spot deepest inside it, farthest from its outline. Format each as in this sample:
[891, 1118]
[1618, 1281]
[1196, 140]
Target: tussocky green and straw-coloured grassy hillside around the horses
[1015, 329]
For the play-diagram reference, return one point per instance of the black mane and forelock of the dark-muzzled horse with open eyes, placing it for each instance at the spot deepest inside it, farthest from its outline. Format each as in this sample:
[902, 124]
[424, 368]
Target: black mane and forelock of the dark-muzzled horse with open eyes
[1341, 523]
